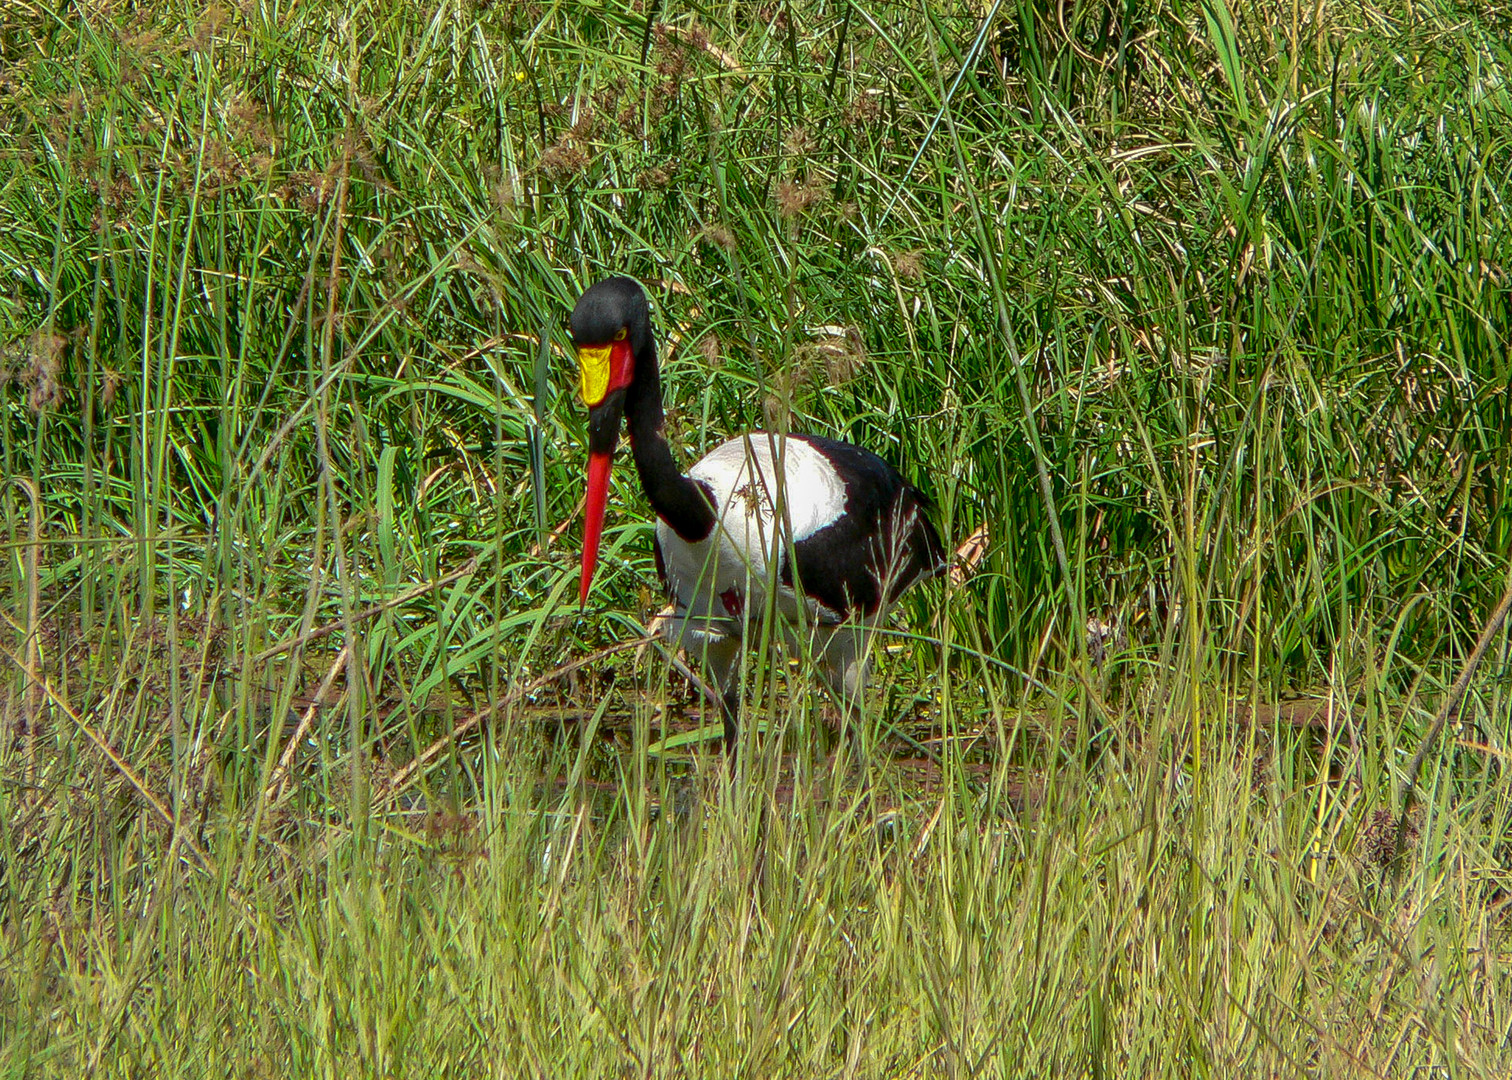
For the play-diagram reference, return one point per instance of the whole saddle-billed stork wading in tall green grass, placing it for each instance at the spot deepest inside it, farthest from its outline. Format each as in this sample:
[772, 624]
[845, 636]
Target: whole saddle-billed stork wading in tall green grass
[832, 526]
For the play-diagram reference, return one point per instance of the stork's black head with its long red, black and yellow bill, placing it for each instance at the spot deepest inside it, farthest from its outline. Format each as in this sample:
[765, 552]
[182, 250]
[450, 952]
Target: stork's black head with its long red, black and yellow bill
[610, 329]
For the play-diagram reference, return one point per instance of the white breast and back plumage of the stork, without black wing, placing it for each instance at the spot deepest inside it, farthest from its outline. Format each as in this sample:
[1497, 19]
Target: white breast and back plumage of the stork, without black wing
[769, 491]
